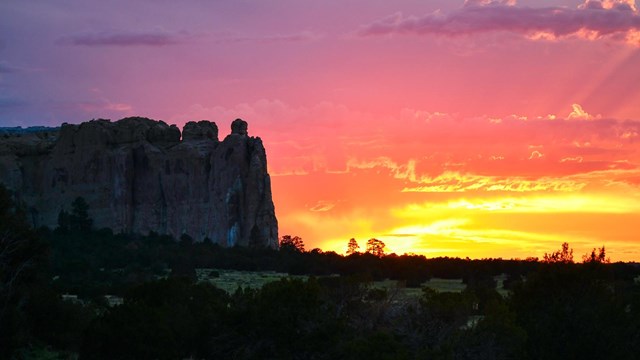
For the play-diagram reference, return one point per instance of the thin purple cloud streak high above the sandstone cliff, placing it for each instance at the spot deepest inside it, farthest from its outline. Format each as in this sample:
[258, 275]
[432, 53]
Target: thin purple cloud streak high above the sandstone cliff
[124, 39]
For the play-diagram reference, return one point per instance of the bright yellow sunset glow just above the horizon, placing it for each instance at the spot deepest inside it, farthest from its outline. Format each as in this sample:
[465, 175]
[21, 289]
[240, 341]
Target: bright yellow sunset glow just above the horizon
[508, 227]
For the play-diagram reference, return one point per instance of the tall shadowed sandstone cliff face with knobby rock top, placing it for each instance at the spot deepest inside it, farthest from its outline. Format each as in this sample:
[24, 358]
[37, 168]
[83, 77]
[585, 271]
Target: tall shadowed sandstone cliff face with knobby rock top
[138, 176]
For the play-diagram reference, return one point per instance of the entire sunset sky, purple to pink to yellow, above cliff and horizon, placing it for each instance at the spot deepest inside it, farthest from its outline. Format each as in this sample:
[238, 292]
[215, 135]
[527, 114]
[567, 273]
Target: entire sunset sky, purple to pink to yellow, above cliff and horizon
[473, 128]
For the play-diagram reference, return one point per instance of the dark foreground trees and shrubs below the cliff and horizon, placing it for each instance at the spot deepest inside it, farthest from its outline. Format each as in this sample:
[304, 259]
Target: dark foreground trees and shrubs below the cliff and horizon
[556, 309]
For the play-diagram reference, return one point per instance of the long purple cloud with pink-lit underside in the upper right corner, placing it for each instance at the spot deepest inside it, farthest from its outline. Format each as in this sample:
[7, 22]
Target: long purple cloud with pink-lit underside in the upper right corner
[591, 20]
